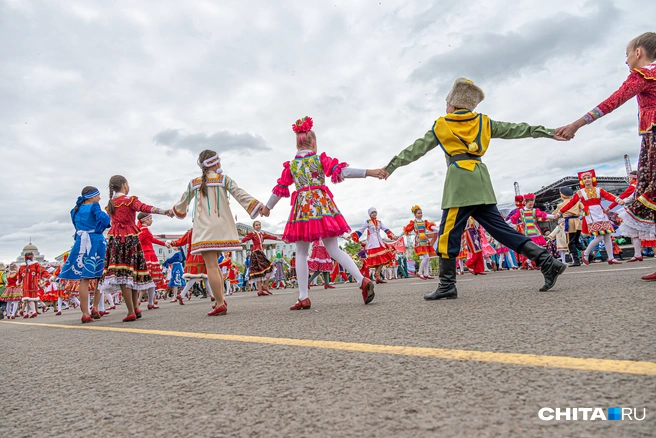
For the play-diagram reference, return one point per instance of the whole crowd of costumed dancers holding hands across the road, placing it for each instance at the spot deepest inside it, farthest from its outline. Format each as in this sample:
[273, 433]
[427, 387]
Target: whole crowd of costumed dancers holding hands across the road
[113, 252]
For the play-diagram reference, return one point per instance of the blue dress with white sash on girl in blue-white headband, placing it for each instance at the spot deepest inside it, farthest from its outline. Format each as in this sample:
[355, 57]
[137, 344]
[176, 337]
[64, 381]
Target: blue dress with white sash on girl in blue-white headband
[87, 257]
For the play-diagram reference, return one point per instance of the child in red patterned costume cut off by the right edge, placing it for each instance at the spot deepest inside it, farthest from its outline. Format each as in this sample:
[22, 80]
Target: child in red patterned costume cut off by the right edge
[639, 217]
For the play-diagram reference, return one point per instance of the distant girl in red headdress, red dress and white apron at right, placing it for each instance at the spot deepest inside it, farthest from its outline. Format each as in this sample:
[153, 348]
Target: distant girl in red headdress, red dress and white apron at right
[596, 222]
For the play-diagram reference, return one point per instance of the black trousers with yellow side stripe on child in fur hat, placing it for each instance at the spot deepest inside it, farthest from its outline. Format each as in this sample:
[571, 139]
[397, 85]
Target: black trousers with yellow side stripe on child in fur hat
[455, 219]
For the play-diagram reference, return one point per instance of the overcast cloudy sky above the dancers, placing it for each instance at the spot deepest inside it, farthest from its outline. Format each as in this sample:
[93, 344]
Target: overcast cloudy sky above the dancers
[89, 89]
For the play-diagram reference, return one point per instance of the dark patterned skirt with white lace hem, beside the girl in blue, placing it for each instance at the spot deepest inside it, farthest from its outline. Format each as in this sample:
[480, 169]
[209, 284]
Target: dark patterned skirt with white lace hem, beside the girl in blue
[125, 265]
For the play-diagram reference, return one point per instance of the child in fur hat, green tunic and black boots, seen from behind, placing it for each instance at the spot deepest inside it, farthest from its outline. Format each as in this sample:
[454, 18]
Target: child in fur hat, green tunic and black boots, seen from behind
[464, 136]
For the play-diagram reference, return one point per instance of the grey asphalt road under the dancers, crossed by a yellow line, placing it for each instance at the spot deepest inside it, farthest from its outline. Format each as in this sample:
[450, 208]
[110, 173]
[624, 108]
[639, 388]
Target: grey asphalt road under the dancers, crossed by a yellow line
[71, 381]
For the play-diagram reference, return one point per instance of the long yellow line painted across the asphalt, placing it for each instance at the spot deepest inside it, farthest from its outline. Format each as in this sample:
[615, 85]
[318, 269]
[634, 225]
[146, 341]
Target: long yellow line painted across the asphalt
[532, 360]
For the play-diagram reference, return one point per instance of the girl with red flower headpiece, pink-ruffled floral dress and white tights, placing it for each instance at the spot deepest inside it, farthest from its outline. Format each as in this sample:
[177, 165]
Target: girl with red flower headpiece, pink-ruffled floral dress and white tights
[314, 214]
